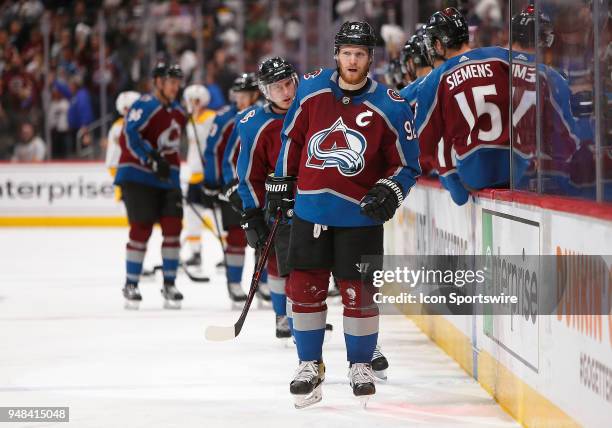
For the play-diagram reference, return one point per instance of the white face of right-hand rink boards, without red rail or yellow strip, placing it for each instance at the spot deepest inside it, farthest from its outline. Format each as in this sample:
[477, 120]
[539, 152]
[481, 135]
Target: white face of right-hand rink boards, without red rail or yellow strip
[552, 353]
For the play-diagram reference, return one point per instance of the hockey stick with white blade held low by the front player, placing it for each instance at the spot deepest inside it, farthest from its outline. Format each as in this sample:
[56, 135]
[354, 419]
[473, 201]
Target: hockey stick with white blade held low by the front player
[221, 333]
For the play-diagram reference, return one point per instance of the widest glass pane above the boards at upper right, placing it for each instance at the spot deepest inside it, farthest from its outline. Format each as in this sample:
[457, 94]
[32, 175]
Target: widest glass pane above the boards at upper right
[566, 122]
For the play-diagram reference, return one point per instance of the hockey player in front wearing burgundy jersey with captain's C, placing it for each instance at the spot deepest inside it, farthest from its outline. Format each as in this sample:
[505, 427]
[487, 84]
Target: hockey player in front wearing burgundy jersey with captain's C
[350, 150]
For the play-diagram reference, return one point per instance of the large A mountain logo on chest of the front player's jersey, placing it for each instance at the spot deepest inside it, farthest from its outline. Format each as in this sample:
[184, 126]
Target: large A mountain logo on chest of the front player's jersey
[337, 147]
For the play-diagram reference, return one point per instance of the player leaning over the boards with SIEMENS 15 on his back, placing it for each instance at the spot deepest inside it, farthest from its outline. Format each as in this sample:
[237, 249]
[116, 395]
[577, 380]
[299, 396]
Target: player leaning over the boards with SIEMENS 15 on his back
[462, 113]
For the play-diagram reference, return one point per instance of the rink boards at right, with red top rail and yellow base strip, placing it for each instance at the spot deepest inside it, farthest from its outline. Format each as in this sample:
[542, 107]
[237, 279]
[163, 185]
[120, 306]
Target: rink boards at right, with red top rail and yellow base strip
[549, 370]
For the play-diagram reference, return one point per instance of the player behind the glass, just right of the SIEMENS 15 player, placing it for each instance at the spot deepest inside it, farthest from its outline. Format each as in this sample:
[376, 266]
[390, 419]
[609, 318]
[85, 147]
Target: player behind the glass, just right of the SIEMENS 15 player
[559, 140]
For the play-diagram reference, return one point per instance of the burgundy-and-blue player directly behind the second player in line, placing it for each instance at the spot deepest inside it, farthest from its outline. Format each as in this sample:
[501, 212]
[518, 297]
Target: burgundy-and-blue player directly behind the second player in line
[245, 93]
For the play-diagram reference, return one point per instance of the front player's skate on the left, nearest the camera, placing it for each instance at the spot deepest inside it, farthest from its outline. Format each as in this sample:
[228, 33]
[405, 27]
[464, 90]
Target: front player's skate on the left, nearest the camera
[306, 384]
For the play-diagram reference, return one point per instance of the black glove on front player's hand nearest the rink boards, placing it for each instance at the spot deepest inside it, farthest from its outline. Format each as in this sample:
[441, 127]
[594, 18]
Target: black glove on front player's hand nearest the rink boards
[382, 200]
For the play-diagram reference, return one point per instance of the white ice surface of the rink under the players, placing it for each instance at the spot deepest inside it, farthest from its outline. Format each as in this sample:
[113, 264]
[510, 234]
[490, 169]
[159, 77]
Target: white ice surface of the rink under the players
[65, 340]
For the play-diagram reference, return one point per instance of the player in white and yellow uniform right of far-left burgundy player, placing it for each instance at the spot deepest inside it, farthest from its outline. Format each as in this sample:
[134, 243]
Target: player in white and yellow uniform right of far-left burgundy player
[196, 99]
